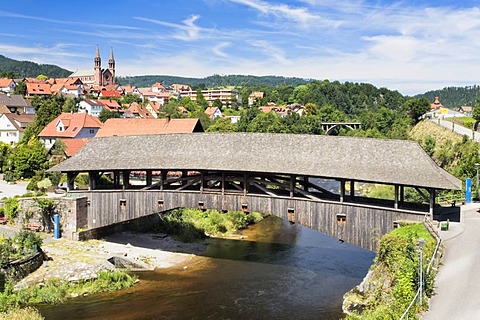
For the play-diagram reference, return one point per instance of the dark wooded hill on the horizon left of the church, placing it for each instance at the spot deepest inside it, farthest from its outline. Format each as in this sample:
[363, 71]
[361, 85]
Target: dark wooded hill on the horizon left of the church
[23, 69]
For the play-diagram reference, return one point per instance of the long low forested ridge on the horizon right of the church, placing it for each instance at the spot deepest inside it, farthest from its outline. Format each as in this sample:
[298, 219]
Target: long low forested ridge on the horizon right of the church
[212, 81]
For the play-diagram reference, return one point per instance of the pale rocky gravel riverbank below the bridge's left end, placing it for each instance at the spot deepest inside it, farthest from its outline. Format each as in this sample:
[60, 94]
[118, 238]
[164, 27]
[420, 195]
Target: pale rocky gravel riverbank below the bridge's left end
[75, 260]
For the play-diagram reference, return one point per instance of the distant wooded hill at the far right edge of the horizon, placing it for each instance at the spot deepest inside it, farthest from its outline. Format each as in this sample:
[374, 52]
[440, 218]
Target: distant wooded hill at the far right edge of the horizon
[454, 96]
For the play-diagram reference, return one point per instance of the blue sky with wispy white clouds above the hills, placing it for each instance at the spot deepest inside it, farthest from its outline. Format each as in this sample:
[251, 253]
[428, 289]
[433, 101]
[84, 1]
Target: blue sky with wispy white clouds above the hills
[409, 46]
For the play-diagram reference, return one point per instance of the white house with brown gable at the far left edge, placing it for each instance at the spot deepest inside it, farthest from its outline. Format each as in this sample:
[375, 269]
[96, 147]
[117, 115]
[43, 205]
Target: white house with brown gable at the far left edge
[13, 125]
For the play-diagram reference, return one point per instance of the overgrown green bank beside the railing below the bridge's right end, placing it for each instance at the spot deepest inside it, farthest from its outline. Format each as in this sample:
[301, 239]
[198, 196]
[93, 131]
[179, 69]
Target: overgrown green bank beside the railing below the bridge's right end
[392, 281]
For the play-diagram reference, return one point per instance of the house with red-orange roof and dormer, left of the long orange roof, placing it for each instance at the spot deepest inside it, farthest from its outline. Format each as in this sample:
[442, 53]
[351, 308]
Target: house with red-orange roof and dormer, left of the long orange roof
[69, 126]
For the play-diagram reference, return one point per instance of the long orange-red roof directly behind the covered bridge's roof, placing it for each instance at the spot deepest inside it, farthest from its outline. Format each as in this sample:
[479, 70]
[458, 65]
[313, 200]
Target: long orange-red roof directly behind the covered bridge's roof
[135, 126]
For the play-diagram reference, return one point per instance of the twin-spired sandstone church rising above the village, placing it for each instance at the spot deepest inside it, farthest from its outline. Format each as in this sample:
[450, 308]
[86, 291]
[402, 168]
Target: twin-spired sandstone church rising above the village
[99, 77]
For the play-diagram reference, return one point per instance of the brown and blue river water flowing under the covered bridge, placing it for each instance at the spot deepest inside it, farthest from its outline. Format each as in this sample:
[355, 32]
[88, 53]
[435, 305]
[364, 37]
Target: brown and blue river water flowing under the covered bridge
[278, 271]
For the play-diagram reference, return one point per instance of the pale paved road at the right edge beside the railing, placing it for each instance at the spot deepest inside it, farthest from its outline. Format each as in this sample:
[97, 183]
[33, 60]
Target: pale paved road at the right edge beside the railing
[457, 293]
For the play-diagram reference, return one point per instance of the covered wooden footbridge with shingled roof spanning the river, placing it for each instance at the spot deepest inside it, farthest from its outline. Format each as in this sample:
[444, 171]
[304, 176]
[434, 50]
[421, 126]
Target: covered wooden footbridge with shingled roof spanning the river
[315, 181]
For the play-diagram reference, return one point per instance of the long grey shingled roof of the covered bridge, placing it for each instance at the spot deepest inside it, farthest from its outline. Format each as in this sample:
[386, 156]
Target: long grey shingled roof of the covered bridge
[398, 162]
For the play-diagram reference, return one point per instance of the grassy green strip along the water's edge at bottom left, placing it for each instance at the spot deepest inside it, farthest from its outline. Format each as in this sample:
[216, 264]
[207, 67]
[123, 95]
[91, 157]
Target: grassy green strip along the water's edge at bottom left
[55, 291]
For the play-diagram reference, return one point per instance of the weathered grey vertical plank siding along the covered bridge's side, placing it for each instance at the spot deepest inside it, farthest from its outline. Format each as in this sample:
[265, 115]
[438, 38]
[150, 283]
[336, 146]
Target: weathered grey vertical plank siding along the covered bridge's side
[363, 227]
